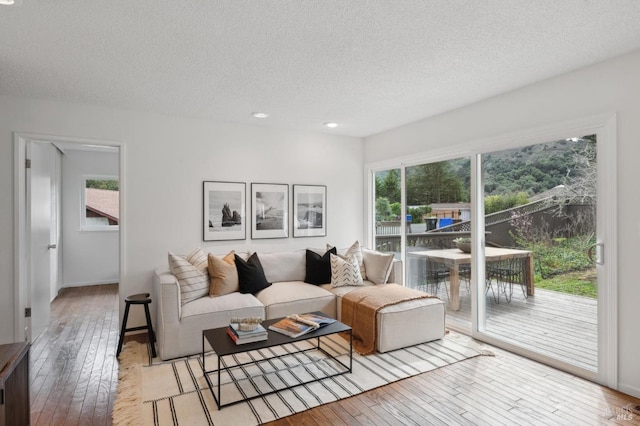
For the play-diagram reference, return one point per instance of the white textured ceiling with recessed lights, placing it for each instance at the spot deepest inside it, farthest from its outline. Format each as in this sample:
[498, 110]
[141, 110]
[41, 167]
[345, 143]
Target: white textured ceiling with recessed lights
[369, 65]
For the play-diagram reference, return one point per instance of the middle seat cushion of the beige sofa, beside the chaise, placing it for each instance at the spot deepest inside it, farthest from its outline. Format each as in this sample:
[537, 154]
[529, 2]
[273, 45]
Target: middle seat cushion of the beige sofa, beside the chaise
[296, 297]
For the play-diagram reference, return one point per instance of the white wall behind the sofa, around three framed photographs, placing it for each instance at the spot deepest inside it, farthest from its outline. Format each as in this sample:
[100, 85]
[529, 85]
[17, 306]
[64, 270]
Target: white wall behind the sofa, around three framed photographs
[166, 159]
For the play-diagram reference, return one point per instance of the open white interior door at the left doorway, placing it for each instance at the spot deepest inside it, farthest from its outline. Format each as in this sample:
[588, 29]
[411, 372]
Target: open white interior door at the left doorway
[39, 207]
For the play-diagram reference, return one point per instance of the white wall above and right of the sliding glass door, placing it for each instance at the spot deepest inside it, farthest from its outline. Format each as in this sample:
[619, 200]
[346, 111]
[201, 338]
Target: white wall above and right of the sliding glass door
[611, 86]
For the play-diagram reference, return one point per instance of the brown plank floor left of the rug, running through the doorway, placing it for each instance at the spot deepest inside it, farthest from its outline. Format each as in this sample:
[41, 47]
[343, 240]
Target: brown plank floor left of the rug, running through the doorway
[74, 371]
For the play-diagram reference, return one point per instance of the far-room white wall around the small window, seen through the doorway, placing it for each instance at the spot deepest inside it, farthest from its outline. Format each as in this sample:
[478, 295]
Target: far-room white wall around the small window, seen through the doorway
[88, 257]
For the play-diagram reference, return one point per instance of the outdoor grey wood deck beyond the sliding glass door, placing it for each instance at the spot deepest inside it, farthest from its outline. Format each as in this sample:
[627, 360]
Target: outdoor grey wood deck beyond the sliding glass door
[555, 324]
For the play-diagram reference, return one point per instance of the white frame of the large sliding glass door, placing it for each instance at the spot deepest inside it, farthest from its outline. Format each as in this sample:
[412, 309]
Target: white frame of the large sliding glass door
[604, 126]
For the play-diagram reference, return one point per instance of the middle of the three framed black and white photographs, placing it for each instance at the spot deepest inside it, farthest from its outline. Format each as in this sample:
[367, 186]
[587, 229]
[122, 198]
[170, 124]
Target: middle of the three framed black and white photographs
[269, 210]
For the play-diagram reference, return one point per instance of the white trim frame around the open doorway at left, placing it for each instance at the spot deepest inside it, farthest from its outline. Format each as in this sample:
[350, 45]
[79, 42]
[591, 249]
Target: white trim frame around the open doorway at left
[22, 232]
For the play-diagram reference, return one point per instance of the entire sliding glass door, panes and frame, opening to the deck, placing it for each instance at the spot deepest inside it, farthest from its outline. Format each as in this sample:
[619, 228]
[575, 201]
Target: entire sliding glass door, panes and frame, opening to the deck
[512, 240]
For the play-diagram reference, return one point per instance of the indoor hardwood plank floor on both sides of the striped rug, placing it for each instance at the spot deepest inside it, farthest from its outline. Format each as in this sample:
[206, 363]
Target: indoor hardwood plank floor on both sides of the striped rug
[74, 376]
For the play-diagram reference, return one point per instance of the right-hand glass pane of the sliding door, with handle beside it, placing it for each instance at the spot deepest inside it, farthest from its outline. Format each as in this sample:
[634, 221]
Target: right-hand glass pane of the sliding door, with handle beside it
[540, 273]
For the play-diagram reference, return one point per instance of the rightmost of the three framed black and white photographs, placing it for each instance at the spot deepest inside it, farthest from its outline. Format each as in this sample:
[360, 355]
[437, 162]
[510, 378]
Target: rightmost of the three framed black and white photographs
[309, 210]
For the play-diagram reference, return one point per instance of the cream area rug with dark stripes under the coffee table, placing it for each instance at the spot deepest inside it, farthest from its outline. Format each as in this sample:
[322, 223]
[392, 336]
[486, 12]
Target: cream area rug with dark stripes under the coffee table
[175, 392]
